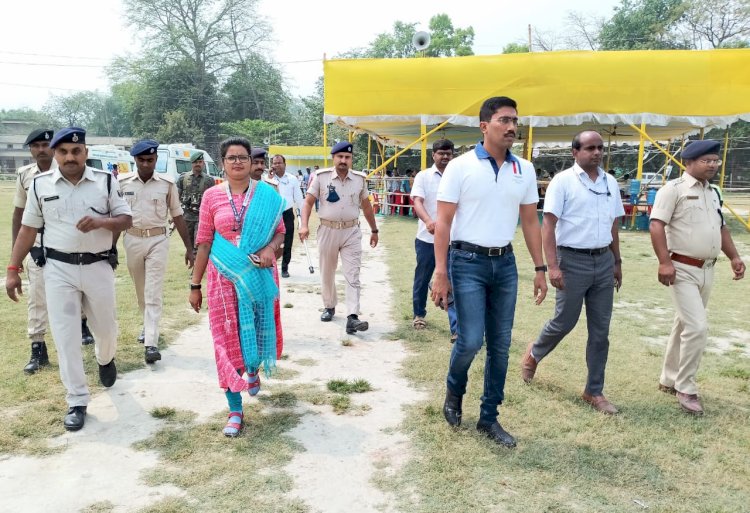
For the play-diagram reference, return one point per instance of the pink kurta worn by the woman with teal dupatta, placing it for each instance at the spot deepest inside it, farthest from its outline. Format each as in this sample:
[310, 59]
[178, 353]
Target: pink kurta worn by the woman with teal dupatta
[216, 215]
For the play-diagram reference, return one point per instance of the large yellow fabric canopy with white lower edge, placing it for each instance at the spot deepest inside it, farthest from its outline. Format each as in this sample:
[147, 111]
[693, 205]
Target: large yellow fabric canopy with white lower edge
[674, 92]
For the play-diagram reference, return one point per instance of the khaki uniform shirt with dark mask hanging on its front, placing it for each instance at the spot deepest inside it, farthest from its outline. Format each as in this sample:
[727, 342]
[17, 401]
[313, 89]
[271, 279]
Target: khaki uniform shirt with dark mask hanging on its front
[351, 190]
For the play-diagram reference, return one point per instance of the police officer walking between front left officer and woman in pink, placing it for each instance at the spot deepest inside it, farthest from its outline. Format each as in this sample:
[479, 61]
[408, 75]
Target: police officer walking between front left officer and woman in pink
[152, 198]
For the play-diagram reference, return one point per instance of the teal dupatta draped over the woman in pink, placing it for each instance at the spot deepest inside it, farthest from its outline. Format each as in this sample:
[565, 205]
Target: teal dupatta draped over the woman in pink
[254, 286]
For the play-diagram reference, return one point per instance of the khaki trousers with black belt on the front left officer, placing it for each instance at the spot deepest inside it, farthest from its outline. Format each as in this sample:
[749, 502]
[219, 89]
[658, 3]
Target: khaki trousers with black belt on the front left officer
[71, 288]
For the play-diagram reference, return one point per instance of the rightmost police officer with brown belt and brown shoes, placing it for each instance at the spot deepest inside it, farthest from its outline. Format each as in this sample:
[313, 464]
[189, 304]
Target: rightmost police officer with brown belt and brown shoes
[687, 232]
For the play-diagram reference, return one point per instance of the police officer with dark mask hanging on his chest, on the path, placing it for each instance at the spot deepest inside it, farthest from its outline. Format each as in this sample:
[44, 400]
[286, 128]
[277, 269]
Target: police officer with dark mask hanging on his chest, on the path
[341, 192]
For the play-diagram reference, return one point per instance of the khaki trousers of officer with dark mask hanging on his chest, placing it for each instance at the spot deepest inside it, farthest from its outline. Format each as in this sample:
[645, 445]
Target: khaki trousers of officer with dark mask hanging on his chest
[348, 243]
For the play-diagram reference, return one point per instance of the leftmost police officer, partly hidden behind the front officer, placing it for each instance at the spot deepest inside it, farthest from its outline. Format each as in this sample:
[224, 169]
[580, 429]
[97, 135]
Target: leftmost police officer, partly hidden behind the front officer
[38, 143]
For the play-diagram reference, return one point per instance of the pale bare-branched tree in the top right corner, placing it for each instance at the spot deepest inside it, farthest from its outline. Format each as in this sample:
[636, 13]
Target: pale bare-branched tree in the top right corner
[720, 23]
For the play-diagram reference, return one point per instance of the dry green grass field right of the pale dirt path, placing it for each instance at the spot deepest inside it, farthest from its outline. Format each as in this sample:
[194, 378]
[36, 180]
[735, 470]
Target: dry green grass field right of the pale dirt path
[569, 458]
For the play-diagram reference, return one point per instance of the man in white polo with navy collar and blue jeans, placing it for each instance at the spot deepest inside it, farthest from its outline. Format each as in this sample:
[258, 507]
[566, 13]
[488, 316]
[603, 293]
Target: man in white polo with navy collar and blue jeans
[480, 198]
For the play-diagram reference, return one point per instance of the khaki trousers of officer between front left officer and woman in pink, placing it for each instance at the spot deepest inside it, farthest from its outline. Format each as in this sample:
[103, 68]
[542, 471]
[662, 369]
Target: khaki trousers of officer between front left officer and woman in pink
[147, 264]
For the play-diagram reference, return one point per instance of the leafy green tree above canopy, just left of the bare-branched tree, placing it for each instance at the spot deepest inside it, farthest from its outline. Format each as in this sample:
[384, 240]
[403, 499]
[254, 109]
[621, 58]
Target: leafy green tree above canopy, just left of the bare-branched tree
[644, 25]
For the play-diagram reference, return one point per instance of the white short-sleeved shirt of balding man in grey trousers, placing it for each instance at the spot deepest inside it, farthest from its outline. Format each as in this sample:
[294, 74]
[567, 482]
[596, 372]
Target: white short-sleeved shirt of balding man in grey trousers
[585, 218]
